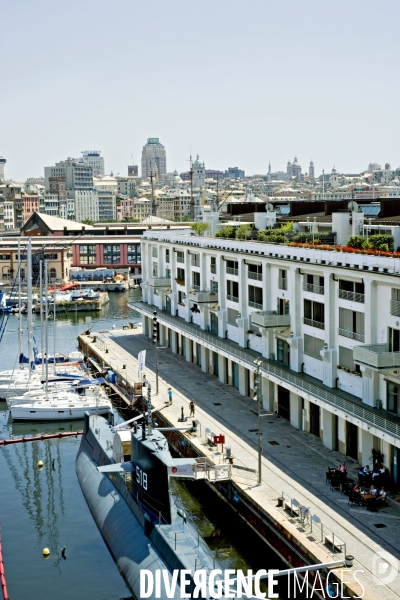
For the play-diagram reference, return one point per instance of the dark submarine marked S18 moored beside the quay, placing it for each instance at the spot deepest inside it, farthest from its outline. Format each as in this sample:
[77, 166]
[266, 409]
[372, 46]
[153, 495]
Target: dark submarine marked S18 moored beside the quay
[124, 474]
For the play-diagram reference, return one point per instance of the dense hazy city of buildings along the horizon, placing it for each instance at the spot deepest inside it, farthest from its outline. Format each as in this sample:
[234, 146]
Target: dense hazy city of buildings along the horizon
[79, 189]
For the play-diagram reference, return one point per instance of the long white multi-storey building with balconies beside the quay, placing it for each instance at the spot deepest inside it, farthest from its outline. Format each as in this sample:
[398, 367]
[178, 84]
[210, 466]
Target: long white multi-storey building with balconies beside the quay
[325, 324]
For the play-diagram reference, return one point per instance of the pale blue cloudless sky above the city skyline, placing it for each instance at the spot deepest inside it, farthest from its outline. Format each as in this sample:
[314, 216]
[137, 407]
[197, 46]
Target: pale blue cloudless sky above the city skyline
[240, 83]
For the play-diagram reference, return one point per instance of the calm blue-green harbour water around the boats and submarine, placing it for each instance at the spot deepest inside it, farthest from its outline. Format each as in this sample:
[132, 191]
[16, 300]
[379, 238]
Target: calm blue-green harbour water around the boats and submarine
[45, 508]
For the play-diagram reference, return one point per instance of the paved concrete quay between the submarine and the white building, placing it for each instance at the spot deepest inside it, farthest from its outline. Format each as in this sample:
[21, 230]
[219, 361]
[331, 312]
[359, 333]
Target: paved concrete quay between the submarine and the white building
[293, 464]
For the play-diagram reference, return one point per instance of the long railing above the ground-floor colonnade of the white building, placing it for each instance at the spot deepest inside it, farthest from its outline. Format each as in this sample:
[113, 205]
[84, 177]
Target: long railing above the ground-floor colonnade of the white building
[297, 381]
